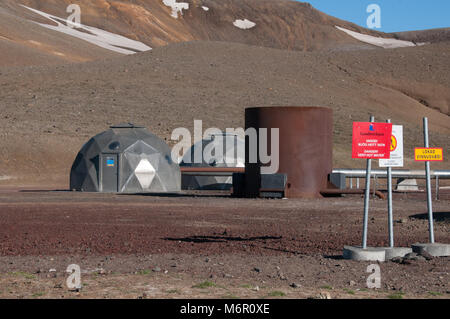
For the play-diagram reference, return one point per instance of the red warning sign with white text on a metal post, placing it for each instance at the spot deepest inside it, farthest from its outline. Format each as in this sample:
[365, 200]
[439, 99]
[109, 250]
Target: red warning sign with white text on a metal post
[371, 140]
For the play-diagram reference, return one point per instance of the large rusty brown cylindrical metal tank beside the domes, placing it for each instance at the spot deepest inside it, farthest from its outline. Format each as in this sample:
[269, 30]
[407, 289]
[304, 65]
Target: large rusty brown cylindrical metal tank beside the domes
[305, 148]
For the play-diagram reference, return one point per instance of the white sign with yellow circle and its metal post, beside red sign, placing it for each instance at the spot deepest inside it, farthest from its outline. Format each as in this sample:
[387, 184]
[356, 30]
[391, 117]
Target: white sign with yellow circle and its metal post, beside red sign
[396, 160]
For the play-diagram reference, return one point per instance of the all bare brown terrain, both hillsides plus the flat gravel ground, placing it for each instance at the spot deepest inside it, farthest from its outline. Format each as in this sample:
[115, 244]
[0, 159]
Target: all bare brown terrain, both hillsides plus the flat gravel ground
[57, 91]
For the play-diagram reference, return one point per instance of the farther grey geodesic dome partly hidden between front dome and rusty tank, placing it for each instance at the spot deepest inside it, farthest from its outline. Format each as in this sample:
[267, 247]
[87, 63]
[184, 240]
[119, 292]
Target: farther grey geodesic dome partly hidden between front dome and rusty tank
[230, 153]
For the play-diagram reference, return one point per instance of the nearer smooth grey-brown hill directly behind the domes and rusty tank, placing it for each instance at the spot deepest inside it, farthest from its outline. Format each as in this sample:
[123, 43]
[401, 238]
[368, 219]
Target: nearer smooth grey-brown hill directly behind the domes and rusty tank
[48, 112]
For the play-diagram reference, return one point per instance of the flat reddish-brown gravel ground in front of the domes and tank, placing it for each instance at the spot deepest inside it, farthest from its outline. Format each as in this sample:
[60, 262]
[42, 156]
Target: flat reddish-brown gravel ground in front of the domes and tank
[209, 238]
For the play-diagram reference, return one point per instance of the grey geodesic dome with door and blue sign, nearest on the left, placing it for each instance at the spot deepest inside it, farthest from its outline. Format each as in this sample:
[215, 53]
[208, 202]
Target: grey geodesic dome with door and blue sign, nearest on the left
[125, 159]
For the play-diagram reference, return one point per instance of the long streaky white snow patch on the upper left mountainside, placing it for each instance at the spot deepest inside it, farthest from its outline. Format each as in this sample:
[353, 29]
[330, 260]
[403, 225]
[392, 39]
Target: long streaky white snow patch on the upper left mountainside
[99, 37]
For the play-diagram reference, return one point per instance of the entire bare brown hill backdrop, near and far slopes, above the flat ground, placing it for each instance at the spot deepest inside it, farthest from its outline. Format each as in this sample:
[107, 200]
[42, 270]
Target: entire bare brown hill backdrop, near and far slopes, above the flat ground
[57, 91]
